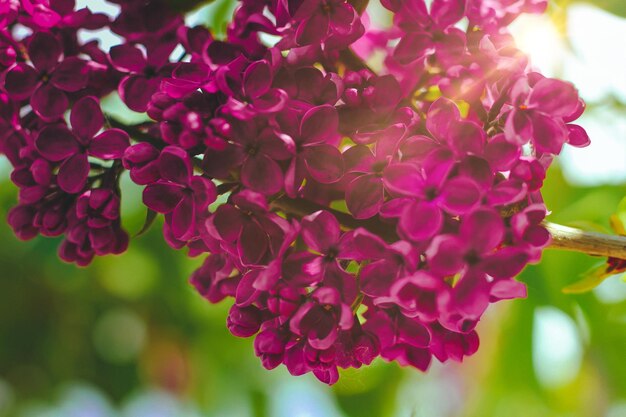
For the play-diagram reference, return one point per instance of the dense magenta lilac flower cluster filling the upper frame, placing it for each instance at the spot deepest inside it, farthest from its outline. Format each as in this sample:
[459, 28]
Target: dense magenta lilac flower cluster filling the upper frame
[367, 207]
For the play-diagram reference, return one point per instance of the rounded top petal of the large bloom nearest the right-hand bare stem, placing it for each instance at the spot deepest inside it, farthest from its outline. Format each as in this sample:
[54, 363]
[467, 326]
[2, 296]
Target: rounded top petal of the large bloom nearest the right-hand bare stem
[482, 229]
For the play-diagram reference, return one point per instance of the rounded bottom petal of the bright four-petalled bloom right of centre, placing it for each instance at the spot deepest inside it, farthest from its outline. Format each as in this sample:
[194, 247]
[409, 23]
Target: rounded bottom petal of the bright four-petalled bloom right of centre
[420, 221]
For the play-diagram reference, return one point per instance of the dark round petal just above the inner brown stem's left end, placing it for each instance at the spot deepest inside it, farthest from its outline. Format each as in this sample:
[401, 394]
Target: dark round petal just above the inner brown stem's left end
[262, 174]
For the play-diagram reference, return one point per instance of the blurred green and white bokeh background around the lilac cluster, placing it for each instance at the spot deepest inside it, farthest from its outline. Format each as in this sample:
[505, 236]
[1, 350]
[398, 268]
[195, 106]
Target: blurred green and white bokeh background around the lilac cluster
[129, 337]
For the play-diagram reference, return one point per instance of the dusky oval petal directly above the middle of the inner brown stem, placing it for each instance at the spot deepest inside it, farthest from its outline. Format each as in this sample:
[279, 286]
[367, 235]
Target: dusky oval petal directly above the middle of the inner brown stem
[364, 196]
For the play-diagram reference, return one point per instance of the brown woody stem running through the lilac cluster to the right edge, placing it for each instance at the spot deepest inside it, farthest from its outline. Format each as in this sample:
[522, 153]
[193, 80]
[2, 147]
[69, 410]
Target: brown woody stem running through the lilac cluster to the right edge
[563, 237]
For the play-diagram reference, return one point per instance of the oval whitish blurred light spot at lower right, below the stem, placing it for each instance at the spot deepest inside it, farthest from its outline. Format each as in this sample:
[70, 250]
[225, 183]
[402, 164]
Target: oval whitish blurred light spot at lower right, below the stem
[557, 349]
